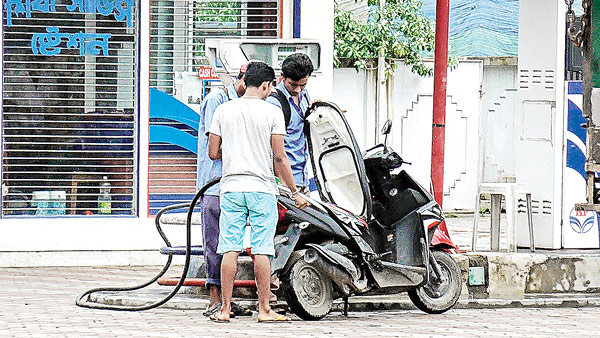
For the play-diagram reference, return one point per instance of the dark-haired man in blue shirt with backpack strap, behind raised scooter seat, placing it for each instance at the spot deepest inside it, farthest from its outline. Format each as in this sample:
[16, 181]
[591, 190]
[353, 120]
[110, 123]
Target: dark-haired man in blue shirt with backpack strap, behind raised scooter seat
[296, 69]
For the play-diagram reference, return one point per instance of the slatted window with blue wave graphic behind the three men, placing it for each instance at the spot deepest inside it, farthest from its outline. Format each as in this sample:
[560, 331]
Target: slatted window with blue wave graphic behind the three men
[177, 34]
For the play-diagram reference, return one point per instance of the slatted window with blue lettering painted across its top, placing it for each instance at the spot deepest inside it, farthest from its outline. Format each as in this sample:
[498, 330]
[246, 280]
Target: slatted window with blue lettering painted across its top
[70, 107]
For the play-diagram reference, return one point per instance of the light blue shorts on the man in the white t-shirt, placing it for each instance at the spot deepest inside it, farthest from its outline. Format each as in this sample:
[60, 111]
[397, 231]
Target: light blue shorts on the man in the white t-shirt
[255, 208]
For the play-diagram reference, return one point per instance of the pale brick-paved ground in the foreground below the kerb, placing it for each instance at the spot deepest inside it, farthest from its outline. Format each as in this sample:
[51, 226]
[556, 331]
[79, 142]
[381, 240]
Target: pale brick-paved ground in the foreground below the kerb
[40, 302]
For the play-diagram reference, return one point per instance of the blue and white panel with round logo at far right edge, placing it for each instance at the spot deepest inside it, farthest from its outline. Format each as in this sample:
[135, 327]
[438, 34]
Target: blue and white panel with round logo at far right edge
[579, 228]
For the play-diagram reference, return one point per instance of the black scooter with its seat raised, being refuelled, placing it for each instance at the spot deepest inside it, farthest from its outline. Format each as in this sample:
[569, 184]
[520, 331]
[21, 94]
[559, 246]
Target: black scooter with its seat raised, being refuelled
[370, 233]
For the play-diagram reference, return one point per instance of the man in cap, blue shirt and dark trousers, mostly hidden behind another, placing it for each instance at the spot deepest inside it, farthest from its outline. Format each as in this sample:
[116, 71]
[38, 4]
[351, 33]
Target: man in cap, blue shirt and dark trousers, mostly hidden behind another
[210, 203]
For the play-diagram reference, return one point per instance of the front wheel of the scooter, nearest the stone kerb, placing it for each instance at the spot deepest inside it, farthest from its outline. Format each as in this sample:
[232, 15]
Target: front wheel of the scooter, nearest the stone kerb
[439, 294]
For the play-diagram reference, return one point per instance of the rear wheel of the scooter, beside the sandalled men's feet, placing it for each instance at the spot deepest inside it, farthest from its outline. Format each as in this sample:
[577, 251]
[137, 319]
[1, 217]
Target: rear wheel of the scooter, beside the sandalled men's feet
[307, 291]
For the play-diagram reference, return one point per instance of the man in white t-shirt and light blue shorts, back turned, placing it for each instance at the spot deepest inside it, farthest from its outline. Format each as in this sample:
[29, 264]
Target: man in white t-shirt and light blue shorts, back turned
[247, 134]
